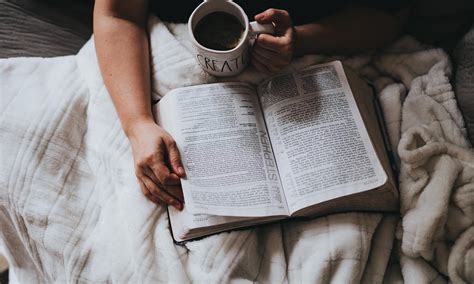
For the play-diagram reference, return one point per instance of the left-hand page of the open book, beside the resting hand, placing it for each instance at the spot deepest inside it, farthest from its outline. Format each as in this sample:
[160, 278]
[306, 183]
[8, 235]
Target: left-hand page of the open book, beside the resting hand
[225, 148]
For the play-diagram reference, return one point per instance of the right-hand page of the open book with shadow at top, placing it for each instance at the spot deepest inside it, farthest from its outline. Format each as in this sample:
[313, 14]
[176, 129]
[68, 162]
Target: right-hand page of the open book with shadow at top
[321, 146]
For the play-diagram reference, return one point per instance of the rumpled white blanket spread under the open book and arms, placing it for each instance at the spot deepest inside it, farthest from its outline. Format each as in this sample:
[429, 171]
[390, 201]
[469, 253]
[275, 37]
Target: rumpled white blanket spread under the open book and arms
[71, 209]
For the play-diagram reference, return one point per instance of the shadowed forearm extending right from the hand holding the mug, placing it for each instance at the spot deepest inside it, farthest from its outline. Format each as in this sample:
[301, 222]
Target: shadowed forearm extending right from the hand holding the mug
[347, 31]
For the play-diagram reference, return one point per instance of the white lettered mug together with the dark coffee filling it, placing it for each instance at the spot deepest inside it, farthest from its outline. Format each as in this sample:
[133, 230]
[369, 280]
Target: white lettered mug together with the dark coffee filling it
[221, 35]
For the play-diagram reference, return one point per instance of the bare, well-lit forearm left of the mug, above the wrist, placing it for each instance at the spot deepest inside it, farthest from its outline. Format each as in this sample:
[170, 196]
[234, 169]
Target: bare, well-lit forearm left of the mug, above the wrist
[123, 53]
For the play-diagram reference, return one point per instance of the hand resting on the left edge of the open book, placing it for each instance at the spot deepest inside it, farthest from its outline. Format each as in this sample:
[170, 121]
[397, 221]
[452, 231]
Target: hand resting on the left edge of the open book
[158, 165]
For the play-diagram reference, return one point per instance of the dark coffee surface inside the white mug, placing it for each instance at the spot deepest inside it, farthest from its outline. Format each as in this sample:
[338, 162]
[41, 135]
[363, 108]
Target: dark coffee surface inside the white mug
[219, 31]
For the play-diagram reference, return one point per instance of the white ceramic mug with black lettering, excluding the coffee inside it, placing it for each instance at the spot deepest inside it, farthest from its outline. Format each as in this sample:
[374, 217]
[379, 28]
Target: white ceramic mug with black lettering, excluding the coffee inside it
[225, 62]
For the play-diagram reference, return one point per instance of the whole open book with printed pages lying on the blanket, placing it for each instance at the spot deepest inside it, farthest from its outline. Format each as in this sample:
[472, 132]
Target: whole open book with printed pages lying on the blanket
[299, 144]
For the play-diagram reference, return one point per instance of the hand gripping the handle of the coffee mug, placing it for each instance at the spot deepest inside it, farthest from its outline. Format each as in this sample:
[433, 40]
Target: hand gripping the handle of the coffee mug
[271, 53]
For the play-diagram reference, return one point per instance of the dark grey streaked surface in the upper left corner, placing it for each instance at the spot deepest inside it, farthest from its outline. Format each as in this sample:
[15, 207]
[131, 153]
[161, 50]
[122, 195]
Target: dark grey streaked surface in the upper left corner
[44, 28]
